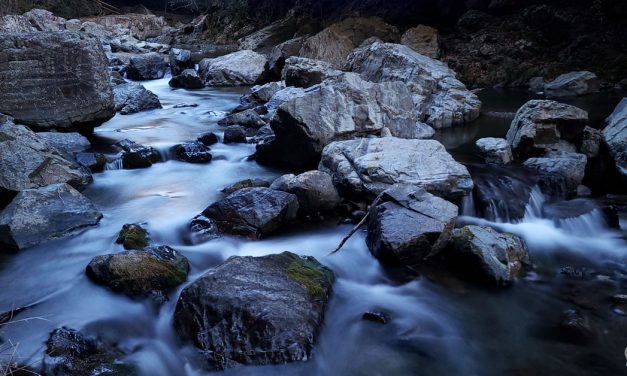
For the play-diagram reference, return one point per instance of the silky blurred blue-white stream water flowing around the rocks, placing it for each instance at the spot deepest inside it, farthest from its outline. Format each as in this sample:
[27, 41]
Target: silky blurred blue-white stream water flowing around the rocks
[439, 325]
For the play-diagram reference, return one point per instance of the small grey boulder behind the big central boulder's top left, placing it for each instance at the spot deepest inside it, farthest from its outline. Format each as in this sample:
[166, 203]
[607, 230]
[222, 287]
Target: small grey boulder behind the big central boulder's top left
[304, 72]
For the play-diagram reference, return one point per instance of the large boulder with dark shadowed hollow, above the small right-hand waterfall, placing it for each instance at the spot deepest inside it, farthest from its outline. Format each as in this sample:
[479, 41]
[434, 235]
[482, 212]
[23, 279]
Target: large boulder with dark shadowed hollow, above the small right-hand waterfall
[543, 125]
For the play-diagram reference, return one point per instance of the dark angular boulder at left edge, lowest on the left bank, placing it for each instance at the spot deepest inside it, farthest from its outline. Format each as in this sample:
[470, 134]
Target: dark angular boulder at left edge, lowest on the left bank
[38, 215]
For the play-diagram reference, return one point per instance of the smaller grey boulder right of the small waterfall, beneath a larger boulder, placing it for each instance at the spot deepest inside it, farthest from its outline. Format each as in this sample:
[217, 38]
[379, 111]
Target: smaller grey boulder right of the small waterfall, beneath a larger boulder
[560, 172]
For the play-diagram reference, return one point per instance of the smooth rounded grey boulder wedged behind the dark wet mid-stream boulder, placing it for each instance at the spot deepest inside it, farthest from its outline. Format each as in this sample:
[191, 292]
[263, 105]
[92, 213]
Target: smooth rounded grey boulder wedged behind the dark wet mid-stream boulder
[314, 189]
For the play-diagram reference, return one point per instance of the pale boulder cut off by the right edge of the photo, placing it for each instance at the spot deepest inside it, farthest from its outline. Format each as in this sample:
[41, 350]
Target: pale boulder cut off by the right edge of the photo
[615, 137]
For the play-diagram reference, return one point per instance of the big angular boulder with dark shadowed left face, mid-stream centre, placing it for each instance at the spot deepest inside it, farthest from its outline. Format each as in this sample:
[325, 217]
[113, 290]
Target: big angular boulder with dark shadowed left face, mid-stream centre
[340, 108]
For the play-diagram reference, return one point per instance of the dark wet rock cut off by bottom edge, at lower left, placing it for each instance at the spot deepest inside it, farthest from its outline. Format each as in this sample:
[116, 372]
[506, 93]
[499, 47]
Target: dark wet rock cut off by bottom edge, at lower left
[69, 352]
